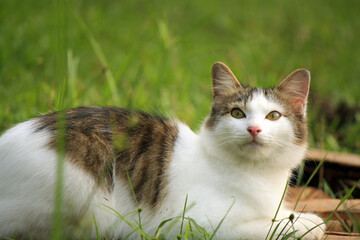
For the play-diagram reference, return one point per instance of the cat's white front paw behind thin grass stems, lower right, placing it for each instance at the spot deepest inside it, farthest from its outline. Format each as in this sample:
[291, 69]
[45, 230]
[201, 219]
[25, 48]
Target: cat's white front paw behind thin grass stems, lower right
[309, 226]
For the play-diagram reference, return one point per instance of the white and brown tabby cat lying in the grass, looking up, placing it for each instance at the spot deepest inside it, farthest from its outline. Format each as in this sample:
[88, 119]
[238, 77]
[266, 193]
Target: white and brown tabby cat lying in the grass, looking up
[131, 166]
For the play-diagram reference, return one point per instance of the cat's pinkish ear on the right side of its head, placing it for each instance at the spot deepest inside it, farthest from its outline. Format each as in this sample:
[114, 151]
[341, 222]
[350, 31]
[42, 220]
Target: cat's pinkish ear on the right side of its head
[296, 89]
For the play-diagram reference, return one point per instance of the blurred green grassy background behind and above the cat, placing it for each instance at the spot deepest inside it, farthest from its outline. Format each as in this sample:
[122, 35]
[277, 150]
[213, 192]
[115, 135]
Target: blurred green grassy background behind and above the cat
[157, 55]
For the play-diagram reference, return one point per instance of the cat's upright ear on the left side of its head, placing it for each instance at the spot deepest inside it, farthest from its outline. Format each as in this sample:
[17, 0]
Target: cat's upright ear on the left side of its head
[224, 81]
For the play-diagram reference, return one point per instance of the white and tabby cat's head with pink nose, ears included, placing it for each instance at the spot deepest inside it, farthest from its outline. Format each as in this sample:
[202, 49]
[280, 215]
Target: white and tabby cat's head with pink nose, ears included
[255, 124]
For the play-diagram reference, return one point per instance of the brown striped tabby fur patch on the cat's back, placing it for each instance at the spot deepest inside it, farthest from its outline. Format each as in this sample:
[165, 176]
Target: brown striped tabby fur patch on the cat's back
[108, 142]
